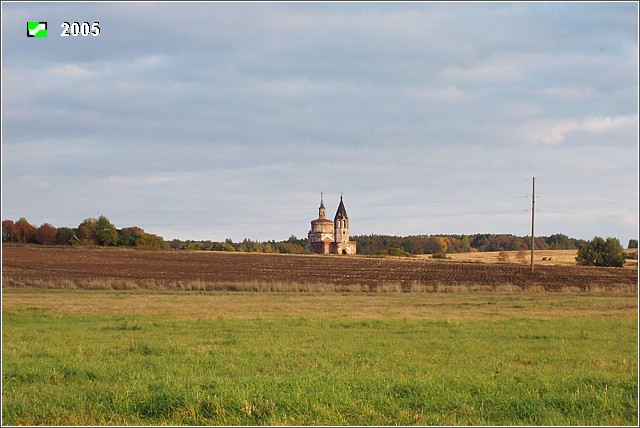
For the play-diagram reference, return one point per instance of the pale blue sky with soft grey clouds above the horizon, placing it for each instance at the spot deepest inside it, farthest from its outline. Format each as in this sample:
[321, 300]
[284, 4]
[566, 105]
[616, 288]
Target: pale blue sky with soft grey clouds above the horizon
[210, 121]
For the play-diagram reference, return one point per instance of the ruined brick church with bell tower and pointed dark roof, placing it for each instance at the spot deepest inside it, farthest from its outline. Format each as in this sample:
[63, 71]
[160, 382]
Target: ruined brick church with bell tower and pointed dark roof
[331, 237]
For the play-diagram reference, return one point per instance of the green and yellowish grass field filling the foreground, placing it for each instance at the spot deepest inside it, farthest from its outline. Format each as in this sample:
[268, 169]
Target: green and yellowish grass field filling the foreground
[215, 358]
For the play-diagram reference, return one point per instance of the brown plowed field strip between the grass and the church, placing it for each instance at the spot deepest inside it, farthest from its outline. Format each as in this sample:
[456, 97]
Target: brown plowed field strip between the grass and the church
[52, 266]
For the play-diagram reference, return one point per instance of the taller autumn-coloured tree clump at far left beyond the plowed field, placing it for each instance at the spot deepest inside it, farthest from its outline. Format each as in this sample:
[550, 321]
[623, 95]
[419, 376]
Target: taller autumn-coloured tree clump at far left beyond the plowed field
[91, 232]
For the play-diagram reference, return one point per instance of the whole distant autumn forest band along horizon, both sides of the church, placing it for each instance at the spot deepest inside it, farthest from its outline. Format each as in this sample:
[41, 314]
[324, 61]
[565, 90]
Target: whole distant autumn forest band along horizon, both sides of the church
[100, 232]
